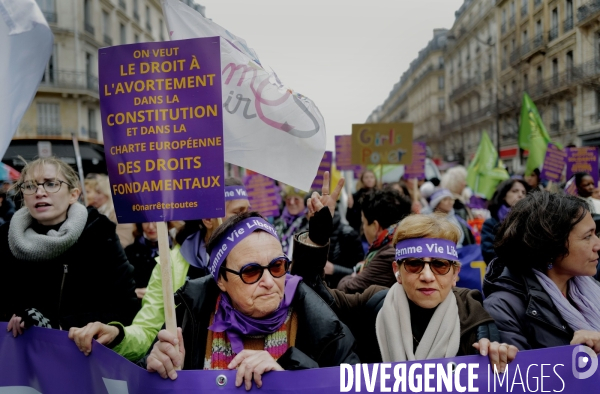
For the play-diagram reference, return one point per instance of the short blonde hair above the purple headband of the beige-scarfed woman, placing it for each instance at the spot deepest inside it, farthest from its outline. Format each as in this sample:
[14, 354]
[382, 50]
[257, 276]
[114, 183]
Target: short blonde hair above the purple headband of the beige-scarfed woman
[426, 226]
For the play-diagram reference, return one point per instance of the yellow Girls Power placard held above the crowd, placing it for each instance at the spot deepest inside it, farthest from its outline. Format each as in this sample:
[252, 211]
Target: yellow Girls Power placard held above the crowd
[382, 143]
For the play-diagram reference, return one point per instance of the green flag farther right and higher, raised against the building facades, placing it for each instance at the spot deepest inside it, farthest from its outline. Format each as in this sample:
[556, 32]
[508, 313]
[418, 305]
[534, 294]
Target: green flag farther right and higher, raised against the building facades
[532, 135]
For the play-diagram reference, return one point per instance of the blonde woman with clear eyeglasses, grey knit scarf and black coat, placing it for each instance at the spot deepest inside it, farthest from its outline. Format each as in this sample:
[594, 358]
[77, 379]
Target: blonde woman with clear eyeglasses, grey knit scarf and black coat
[62, 264]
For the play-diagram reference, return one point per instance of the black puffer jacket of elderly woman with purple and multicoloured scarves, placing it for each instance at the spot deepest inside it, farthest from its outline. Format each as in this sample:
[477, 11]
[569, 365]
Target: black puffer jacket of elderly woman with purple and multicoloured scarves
[322, 340]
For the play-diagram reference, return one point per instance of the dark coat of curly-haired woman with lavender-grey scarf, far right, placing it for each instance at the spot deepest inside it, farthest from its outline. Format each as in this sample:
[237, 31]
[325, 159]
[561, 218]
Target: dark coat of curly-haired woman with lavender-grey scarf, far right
[523, 311]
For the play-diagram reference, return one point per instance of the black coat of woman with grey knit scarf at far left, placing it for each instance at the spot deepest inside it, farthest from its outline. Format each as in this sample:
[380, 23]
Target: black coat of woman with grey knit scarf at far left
[95, 277]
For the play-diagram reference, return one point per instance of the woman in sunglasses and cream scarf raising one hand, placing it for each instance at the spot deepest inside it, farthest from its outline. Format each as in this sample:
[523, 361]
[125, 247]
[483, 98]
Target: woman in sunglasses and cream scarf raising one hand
[423, 315]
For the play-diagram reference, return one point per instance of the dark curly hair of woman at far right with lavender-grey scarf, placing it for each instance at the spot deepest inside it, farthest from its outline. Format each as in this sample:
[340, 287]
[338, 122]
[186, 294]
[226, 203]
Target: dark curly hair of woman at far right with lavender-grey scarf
[536, 231]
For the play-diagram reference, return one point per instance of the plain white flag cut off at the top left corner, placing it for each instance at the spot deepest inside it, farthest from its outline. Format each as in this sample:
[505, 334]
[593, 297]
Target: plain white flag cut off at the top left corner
[25, 48]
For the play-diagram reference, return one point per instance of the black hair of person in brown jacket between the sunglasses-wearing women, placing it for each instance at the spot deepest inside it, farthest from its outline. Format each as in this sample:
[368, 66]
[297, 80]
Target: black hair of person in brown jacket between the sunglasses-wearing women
[385, 206]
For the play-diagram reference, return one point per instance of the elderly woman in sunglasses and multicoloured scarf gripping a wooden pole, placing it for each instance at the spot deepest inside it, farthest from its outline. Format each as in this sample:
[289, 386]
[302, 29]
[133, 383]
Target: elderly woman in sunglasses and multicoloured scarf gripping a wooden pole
[249, 314]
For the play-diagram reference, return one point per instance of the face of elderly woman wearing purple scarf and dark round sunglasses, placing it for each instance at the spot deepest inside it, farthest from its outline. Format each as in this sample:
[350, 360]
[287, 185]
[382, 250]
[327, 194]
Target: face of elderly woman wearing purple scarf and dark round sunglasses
[262, 298]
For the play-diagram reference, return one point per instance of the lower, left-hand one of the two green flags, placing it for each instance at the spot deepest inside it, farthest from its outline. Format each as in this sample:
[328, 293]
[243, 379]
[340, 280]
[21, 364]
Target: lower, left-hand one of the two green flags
[485, 171]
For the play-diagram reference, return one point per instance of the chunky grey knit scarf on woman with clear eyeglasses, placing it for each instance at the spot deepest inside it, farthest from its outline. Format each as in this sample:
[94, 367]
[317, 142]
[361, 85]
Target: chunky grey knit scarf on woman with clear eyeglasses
[26, 244]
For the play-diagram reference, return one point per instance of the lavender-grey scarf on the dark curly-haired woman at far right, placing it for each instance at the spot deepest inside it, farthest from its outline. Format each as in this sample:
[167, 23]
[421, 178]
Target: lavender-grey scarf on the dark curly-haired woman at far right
[585, 293]
